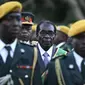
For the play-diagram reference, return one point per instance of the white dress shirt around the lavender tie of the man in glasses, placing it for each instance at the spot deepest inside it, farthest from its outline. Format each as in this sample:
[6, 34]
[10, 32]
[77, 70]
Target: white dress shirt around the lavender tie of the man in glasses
[42, 51]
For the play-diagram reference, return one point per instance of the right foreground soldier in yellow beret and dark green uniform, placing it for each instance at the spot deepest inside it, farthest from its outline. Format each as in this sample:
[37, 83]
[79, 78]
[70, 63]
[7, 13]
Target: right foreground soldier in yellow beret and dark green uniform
[70, 69]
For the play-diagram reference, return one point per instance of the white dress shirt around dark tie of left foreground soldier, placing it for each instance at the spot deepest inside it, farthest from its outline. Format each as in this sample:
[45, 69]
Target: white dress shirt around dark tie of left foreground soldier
[4, 52]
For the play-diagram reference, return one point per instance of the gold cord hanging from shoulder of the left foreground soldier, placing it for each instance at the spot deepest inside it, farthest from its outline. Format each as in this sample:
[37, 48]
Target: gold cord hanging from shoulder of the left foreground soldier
[34, 64]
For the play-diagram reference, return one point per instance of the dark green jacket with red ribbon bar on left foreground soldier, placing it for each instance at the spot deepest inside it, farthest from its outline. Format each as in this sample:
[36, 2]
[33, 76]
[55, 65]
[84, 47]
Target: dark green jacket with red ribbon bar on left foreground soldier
[23, 57]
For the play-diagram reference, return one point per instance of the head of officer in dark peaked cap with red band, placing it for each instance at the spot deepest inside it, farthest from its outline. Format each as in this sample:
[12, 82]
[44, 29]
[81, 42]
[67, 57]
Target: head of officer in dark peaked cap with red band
[26, 30]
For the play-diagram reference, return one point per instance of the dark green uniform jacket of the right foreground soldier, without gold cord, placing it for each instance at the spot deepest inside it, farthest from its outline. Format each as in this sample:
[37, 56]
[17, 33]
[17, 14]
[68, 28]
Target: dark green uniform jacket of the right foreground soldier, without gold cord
[70, 72]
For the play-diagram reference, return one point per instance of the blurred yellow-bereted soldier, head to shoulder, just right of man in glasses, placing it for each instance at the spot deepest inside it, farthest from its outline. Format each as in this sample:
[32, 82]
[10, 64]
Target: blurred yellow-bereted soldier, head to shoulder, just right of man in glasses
[62, 39]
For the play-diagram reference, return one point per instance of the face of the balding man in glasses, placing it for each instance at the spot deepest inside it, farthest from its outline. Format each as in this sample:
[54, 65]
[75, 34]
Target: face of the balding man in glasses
[46, 35]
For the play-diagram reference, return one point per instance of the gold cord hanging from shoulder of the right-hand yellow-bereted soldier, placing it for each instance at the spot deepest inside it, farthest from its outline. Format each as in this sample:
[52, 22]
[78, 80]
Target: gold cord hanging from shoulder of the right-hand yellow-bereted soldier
[59, 72]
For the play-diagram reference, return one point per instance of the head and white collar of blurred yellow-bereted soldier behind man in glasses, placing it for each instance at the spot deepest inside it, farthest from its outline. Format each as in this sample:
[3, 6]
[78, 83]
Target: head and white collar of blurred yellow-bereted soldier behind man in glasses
[61, 35]
